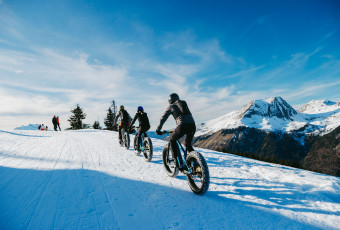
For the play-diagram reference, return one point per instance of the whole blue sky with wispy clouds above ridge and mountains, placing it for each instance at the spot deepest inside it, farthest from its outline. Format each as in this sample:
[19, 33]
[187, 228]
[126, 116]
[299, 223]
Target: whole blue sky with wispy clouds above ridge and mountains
[217, 55]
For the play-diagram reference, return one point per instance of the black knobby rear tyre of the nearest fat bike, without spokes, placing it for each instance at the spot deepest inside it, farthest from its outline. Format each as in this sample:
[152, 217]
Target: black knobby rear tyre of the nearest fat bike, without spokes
[205, 173]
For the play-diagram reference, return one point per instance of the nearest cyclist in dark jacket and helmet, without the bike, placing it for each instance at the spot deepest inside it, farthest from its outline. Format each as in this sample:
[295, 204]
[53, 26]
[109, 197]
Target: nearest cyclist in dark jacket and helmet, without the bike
[185, 125]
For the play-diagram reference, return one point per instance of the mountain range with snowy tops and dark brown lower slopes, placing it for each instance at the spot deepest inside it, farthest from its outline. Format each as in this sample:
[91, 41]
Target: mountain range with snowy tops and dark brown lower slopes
[273, 129]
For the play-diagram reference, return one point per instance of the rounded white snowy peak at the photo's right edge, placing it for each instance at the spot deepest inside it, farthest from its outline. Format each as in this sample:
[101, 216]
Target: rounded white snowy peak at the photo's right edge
[319, 106]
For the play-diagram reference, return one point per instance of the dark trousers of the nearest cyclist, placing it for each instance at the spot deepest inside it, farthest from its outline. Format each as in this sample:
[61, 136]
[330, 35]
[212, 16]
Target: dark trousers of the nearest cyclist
[181, 130]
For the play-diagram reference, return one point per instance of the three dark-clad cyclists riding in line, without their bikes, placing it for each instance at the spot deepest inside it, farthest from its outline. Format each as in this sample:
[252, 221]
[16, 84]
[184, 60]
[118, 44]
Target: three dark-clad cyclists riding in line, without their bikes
[181, 113]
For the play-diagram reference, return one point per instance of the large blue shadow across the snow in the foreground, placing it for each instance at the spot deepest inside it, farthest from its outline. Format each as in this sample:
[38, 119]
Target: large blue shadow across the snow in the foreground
[83, 199]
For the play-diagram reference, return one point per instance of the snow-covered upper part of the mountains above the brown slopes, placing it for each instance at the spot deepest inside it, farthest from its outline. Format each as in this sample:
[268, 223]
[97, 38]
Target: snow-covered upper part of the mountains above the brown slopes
[275, 114]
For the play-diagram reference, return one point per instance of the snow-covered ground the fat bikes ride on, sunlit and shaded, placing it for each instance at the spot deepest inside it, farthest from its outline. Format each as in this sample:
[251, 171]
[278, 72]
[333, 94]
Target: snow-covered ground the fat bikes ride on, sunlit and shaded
[85, 180]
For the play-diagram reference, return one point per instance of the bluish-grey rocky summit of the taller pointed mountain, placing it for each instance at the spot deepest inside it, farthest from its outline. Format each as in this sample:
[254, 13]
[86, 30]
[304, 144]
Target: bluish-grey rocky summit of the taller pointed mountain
[271, 107]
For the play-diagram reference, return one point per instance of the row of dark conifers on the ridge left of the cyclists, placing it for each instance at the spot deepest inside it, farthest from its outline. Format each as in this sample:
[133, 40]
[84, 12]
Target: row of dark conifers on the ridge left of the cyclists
[78, 115]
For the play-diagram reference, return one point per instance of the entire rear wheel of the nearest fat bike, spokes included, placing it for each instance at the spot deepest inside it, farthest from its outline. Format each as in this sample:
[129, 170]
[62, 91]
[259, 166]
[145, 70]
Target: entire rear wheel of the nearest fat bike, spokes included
[199, 178]
